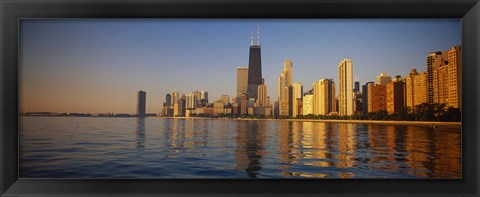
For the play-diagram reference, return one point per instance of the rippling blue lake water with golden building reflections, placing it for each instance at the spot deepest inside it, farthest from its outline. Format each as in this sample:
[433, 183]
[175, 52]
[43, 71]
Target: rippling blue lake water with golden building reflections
[89, 147]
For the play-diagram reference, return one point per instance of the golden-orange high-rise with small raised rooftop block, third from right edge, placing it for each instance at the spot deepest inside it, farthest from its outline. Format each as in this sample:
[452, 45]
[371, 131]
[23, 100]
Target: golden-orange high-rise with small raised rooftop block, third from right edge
[416, 89]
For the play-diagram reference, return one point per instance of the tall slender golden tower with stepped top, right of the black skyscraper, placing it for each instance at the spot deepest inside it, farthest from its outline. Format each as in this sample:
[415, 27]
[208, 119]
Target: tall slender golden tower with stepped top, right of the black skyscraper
[284, 81]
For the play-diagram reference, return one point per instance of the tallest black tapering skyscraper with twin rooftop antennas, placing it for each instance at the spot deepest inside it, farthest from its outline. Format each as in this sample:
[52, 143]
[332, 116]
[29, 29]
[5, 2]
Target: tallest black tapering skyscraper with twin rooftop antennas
[254, 68]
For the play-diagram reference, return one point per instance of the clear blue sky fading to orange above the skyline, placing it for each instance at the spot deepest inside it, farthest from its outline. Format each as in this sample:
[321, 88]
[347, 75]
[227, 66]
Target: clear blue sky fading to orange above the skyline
[99, 65]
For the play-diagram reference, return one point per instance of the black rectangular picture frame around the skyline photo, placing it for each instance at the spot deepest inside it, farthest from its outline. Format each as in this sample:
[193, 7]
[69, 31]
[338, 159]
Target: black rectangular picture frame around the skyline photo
[11, 11]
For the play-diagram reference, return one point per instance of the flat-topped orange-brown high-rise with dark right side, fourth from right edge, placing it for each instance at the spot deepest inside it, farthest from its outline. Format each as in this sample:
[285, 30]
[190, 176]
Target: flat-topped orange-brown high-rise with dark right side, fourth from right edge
[396, 95]
